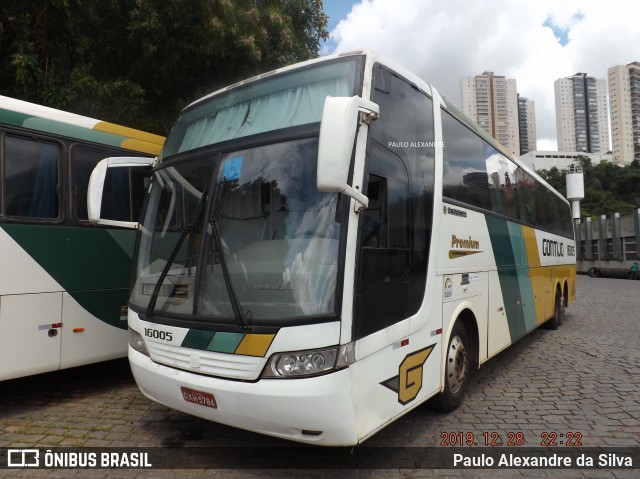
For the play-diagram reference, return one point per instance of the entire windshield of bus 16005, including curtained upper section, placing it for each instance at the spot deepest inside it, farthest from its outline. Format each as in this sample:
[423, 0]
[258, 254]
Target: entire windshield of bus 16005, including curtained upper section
[240, 232]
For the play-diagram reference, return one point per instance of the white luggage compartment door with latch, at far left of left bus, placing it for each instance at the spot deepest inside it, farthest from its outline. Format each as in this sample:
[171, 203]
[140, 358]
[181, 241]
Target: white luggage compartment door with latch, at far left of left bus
[29, 334]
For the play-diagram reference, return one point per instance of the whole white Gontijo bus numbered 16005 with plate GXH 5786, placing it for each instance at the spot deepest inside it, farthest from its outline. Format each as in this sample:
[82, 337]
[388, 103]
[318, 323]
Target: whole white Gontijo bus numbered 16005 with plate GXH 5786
[328, 246]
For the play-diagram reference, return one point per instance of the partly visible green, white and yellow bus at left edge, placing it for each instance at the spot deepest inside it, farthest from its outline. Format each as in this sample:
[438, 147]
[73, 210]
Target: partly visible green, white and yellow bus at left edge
[64, 281]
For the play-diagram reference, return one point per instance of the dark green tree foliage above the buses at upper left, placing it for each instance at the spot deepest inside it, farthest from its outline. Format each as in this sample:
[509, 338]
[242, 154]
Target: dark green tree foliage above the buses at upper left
[139, 62]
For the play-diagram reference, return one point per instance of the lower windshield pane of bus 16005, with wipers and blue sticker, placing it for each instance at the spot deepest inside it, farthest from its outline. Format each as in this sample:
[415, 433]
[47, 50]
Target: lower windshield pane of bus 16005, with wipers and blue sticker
[278, 237]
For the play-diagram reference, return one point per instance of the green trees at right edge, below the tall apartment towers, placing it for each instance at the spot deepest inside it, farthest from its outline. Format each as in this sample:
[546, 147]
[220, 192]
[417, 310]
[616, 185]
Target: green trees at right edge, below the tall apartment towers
[608, 188]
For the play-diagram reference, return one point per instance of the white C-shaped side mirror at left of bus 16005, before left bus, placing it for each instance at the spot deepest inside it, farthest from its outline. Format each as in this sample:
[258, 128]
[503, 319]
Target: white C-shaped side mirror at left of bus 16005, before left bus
[96, 187]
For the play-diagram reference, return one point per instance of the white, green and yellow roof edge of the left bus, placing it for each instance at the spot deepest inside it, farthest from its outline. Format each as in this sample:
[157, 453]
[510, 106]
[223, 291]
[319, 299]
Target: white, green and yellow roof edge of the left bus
[41, 118]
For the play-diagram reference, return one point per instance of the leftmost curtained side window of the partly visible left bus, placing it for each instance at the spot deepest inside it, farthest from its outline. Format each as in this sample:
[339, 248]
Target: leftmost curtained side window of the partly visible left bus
[31, 172]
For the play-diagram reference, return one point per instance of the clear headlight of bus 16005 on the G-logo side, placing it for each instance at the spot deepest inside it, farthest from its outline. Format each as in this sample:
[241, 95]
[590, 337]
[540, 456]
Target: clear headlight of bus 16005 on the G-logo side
[308, 363]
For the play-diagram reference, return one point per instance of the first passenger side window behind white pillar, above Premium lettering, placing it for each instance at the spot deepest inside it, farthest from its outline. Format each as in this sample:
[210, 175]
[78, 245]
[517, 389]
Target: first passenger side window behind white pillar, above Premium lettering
[465, 175]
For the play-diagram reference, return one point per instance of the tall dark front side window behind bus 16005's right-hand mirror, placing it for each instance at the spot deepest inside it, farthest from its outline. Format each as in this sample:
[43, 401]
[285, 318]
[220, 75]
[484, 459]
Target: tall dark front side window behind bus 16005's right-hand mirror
[396, 227]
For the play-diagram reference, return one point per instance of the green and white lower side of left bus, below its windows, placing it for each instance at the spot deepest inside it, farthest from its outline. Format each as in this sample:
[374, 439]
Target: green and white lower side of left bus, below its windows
[88, 270]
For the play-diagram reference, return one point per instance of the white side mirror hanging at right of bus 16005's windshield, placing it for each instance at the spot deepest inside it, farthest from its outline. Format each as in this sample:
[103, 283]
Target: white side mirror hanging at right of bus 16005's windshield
[341, 118]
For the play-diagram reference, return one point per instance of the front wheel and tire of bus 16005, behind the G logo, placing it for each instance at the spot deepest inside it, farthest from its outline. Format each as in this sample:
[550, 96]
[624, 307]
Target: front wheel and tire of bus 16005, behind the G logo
[457, 370]
